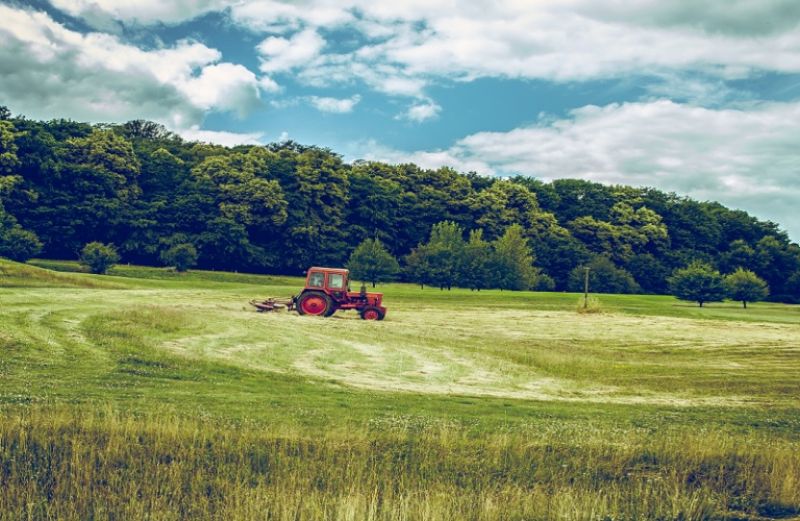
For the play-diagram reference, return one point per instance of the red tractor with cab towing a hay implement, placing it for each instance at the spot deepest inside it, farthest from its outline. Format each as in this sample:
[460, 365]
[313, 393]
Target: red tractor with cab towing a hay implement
[328, 290]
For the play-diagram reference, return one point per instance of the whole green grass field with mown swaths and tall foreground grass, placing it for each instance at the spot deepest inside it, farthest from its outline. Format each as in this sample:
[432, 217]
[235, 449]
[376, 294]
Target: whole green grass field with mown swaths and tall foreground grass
[152, 394]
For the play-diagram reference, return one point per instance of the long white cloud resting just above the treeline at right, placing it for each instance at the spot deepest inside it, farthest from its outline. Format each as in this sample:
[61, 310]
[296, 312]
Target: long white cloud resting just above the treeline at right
[746, 158]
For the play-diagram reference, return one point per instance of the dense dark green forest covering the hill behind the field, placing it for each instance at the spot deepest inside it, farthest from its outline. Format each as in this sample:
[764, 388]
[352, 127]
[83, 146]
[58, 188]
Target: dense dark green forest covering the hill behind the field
[282, 207]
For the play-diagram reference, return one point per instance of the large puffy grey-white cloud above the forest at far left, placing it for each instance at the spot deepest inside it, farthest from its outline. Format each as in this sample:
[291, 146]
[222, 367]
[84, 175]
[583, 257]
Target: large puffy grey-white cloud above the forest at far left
[51, 71]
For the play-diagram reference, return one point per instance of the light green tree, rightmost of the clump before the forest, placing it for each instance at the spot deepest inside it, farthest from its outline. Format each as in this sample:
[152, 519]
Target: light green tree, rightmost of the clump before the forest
[514, 260]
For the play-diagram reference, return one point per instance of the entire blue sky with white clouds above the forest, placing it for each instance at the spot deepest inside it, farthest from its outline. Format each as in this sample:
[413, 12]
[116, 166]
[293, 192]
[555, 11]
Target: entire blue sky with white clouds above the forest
[699, 98]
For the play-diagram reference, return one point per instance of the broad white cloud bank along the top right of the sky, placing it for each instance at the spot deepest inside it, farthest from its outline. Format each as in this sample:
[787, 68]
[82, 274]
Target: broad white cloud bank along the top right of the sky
[406, 45]
